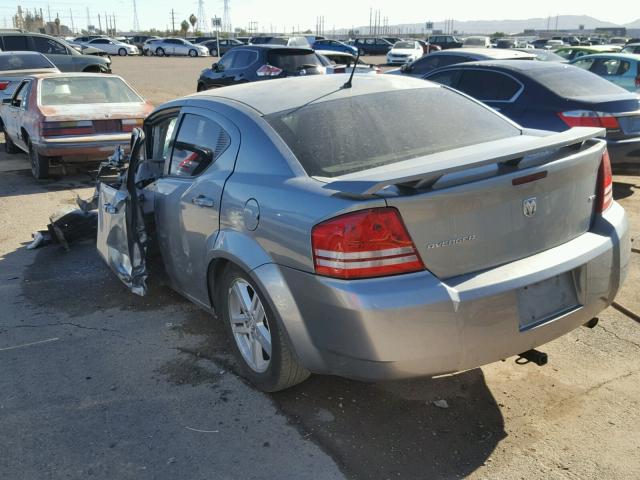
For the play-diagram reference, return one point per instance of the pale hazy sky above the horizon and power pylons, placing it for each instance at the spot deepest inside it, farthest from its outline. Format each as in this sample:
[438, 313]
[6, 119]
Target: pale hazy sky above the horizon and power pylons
[338, 13]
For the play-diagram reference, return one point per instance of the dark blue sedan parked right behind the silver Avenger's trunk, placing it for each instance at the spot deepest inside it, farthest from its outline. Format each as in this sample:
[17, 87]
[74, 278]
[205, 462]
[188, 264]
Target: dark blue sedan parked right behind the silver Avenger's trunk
[552, 96]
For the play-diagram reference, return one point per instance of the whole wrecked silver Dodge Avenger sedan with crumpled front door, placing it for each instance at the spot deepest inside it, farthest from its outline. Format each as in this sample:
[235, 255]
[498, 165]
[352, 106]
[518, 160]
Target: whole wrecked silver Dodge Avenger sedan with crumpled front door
[330, 238]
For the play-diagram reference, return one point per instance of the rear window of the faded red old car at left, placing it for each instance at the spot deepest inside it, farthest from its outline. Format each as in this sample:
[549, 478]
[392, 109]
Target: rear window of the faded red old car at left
[82, 90]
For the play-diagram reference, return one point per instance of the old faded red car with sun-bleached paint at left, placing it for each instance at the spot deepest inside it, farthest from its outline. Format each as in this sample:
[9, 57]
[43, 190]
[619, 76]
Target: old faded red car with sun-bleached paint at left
[70, 118]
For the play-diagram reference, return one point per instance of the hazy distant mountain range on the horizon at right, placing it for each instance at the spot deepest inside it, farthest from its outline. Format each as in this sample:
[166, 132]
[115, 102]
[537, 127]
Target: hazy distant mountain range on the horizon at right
[562, 22]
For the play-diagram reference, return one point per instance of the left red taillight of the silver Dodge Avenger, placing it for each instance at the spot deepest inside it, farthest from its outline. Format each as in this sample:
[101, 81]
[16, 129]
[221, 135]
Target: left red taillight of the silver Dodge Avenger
[364, 244]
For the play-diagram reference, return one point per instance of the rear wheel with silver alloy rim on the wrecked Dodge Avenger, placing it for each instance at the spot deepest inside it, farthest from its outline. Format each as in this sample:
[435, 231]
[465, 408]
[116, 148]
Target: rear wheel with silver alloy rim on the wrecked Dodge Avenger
[281, 369]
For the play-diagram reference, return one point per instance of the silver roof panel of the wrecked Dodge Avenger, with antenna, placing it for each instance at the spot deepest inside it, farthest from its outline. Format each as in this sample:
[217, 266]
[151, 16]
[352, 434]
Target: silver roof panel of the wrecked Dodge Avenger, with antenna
[288, 93]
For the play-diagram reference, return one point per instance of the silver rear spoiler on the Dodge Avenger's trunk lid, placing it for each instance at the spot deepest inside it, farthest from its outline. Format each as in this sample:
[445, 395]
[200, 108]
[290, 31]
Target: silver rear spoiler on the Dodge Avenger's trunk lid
[428, 169]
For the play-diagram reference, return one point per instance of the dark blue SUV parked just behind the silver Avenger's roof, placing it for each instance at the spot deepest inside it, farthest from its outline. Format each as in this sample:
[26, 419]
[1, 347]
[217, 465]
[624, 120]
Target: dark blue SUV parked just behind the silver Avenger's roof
[252, 63]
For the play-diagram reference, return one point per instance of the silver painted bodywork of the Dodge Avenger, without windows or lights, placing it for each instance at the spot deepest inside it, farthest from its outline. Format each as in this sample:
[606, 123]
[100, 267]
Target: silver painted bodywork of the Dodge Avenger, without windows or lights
[461, 312]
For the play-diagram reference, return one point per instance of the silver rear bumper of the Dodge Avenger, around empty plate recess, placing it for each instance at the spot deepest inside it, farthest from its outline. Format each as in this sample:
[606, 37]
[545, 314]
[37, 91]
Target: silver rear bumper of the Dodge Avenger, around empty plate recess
[416, 325]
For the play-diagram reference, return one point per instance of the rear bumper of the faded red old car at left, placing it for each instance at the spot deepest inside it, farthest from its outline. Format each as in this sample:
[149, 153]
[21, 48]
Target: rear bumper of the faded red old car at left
[83, 148]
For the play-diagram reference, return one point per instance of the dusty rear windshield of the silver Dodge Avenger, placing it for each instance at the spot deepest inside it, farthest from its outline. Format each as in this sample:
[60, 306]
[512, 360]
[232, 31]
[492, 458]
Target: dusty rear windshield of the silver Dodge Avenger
[352, 134]
